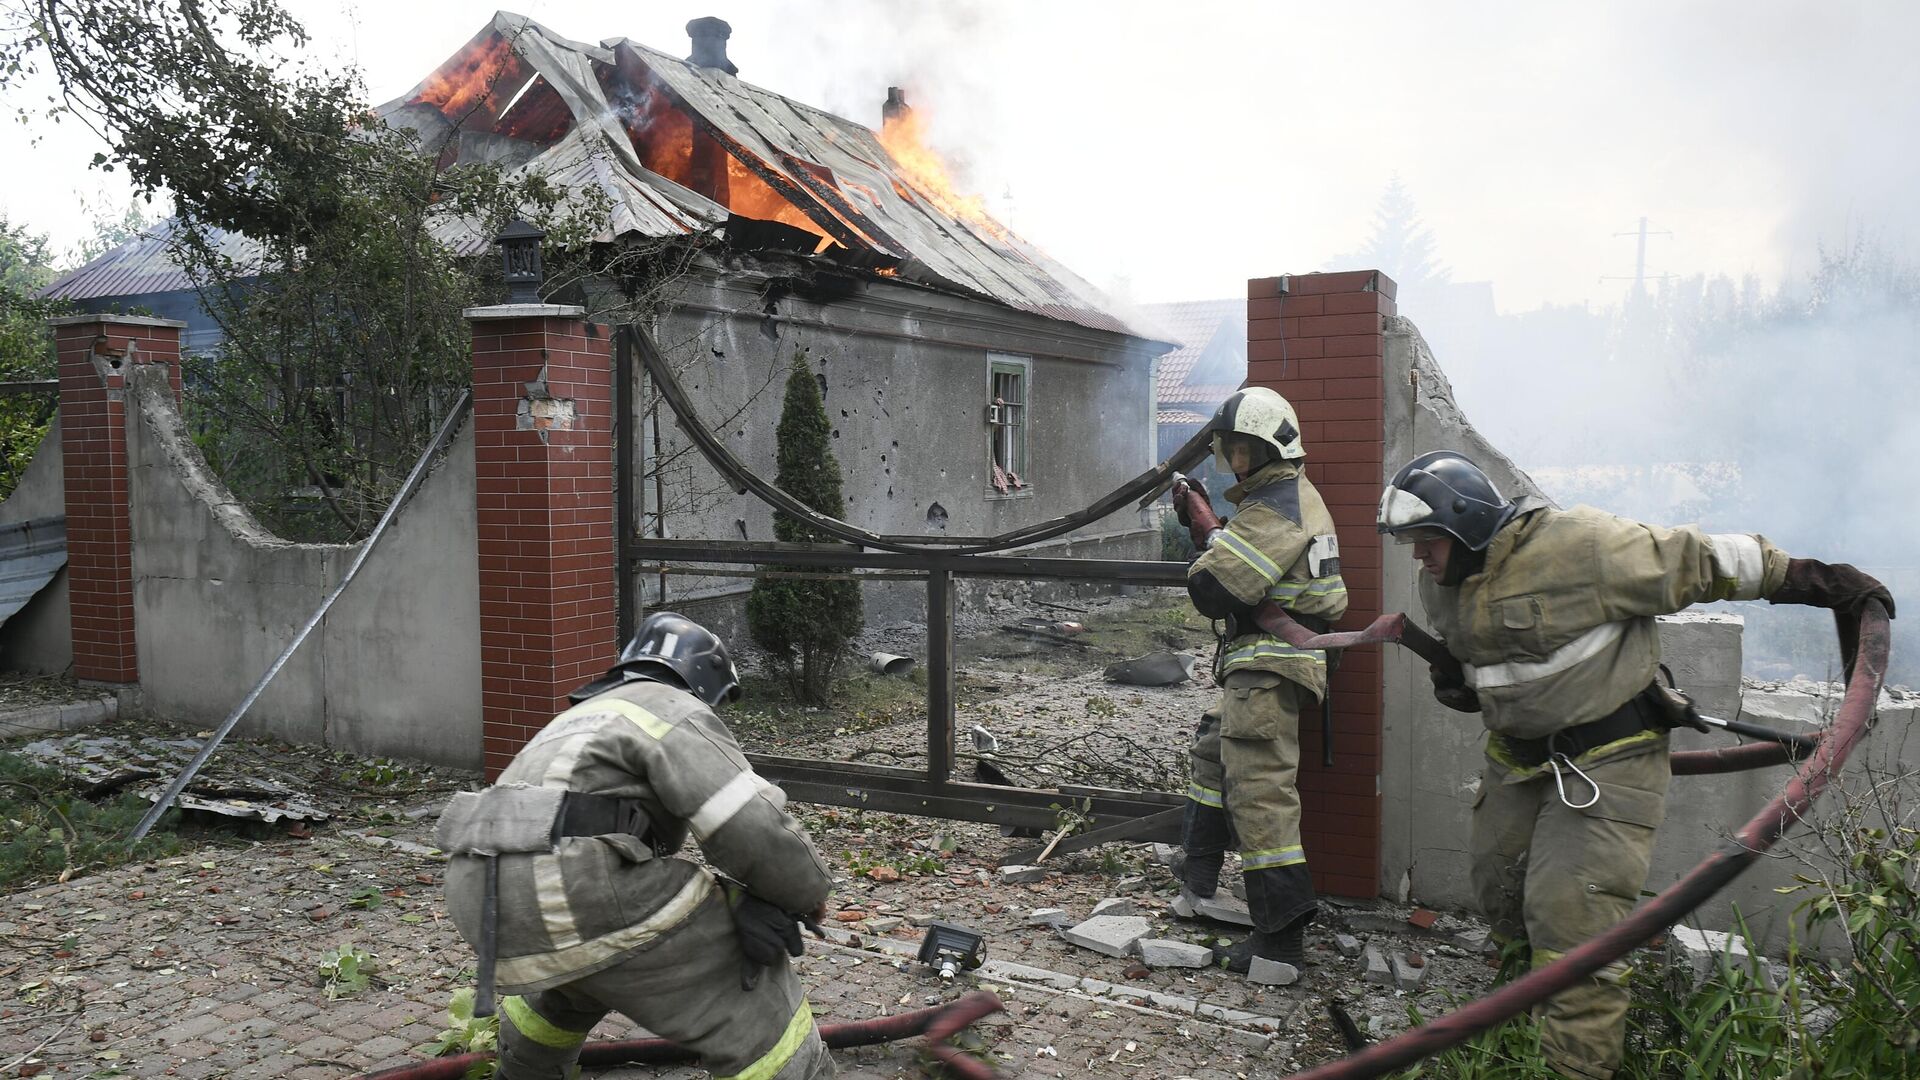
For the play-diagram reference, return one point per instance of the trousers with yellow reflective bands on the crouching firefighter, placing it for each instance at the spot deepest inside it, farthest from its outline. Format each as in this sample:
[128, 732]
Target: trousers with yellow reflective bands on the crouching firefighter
[686, 989]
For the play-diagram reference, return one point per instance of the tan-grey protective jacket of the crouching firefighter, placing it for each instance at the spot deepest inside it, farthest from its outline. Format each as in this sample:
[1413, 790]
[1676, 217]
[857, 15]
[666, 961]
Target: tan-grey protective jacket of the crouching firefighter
[583, 904]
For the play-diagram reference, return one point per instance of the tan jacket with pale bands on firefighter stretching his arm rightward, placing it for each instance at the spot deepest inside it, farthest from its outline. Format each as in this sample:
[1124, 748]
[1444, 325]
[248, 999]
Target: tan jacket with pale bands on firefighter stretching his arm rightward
[1558, 627]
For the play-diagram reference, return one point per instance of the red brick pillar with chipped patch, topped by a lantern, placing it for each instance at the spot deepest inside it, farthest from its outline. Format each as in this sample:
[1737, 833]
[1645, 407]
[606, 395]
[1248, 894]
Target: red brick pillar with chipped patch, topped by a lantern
[544, 499]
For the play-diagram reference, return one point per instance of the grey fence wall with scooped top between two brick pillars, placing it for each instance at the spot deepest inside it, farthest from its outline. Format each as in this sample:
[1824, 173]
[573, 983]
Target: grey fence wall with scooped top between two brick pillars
[396, 666]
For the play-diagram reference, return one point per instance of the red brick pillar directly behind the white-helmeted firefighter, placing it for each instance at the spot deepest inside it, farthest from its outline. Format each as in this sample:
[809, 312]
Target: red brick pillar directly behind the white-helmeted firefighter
[1318, 339]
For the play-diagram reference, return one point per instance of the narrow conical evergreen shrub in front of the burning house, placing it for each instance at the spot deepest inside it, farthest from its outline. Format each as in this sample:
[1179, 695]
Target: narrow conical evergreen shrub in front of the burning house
[805, 624]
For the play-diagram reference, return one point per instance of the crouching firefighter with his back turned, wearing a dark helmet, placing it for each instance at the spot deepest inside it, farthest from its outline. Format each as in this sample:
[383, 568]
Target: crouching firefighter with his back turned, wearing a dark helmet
[564, 875]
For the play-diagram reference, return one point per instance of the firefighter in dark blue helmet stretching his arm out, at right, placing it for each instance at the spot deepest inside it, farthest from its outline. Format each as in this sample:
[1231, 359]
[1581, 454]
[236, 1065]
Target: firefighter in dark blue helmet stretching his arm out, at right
[1552, 618]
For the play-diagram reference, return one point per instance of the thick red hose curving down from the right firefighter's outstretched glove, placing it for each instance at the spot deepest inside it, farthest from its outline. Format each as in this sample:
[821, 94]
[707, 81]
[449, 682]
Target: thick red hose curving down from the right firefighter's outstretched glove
[1865, 647]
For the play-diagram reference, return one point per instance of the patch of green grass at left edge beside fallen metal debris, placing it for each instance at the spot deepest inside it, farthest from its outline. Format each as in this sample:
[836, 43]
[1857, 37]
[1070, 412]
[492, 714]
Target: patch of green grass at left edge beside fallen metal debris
[51, 833]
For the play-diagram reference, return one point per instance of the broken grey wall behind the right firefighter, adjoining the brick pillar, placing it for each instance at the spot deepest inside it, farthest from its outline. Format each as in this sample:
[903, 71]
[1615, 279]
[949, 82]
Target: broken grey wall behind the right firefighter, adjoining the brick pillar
[1433, 758]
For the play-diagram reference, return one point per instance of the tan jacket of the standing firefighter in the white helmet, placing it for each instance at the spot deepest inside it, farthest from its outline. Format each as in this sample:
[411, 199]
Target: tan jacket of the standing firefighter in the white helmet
[1278, 547]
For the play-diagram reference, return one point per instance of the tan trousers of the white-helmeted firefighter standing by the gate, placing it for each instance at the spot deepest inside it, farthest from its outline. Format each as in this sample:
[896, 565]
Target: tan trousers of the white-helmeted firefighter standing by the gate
[1245, 762]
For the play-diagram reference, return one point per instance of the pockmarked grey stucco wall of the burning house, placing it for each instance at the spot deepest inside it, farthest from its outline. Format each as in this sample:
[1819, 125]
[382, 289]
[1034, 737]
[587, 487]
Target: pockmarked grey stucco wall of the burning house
[905, 378]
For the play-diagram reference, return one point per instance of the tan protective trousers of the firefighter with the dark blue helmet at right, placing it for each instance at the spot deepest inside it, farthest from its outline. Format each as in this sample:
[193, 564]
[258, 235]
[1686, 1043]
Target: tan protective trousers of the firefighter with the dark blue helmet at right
[1556, 873]
